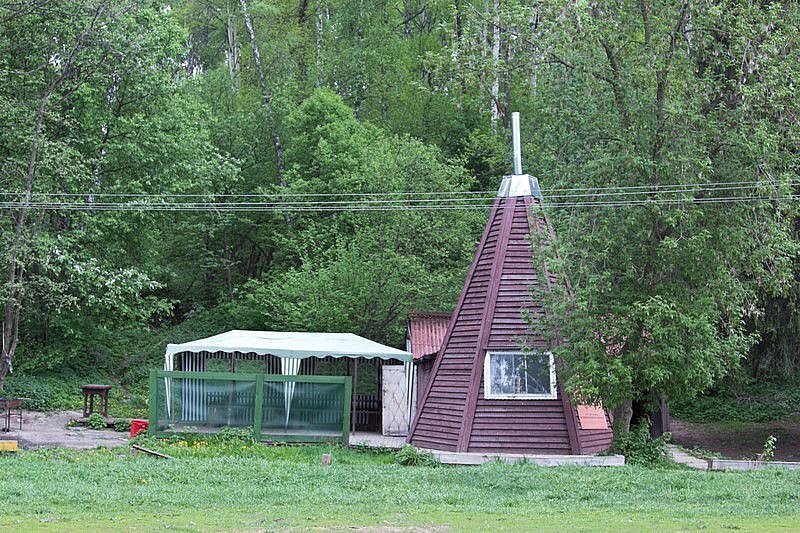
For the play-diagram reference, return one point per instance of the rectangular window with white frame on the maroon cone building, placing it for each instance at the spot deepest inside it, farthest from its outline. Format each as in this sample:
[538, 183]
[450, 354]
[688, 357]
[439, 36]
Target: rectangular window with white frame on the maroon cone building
[517, 373]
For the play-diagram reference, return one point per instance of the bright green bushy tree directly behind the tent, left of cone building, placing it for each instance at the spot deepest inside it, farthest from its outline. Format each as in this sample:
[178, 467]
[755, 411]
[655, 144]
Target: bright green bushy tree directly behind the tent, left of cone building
[362, 271]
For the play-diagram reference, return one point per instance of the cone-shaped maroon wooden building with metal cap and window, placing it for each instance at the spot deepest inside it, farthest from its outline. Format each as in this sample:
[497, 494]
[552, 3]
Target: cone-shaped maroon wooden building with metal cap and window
[485, 393]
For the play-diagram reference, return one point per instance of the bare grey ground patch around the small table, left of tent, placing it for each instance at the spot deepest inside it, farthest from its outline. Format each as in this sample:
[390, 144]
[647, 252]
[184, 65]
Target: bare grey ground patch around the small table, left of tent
[49, 430]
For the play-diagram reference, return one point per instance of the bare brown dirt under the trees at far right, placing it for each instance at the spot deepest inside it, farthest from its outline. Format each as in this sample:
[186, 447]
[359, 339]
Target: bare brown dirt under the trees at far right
[740, 440]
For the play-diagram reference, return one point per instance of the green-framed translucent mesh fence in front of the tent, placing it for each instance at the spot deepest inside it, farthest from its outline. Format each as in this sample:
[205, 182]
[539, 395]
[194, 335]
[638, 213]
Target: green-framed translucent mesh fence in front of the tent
[284, 408]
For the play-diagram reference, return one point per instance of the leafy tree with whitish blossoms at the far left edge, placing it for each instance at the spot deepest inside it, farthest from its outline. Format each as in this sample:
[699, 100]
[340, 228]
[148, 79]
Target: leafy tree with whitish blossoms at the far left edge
[96, 106]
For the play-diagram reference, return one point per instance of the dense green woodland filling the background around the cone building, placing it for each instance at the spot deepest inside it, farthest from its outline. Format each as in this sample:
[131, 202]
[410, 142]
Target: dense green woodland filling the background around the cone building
[328, 96]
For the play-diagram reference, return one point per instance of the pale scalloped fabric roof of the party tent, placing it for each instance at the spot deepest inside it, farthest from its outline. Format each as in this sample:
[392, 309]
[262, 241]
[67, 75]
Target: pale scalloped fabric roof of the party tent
[292, 344]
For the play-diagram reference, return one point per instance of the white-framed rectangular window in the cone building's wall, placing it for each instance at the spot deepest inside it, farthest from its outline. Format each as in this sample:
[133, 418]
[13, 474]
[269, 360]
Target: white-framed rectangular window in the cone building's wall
[519, 375]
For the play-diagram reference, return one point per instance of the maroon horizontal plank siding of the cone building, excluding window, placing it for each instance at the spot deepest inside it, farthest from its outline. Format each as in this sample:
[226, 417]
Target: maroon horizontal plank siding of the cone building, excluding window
[454, 414]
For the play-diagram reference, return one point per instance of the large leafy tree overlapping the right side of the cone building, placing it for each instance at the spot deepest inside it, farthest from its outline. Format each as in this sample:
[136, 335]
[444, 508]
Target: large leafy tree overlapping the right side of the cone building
[641, 94]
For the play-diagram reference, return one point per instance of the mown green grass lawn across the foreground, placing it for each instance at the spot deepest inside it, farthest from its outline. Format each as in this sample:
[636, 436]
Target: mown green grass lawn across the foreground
[257, 487]
